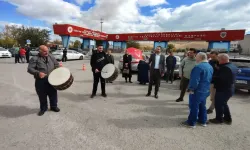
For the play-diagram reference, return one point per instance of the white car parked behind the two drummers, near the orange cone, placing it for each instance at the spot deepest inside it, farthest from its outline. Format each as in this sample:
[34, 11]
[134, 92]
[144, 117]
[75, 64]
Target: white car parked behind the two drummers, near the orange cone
[71, 55]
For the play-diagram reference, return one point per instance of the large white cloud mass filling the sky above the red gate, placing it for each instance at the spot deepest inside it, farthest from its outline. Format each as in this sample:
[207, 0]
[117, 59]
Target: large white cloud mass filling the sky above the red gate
[122, 16]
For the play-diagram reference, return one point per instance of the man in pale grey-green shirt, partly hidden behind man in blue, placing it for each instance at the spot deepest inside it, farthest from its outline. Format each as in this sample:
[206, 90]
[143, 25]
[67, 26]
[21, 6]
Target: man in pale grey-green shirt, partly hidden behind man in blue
[186, 67]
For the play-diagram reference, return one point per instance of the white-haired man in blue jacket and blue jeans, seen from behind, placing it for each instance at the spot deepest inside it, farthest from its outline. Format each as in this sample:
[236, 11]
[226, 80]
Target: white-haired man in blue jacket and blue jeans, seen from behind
[199, 89]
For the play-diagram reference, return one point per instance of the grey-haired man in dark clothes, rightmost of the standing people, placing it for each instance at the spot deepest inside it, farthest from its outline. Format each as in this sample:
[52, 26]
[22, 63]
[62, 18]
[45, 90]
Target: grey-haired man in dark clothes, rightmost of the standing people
[224, 85]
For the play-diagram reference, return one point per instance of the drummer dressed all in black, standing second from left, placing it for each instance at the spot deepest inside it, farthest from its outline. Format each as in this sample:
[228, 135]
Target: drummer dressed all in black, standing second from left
[97, 62]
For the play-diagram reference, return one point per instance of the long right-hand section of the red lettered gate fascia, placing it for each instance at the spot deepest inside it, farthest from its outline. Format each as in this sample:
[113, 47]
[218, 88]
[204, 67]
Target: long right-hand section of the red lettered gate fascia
[220, 35]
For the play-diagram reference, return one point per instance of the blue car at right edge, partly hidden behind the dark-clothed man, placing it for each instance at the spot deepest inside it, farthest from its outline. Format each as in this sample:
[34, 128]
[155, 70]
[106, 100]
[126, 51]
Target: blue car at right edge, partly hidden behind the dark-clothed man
[243, 76]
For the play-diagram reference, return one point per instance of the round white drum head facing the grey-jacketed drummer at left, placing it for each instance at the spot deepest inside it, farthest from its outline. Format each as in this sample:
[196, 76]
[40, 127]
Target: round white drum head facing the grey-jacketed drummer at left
[59, 76]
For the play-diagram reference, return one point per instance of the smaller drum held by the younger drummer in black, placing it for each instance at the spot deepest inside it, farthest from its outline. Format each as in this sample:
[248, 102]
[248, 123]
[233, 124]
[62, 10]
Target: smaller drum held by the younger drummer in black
[109, 72]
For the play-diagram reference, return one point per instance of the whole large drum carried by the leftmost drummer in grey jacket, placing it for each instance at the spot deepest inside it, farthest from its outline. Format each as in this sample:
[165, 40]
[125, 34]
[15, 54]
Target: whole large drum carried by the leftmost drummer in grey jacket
[61, 78]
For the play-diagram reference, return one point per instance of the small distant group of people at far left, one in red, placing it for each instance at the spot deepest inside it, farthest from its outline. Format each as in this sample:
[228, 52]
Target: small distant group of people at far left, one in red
[22, 54]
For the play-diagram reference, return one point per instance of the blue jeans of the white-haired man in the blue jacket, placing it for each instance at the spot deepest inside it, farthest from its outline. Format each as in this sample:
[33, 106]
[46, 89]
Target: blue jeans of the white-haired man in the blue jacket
[197, 106]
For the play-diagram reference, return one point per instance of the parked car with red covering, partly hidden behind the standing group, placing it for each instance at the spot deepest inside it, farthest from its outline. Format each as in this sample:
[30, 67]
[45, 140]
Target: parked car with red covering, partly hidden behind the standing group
[136, 57]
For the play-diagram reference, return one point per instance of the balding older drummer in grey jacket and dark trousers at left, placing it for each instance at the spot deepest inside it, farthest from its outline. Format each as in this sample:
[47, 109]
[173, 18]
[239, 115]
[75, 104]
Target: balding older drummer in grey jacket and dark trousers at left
[41, 66]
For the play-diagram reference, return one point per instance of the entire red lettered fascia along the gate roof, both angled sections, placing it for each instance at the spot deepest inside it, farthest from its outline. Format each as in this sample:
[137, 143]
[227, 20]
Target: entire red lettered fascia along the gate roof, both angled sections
[219, 35]
